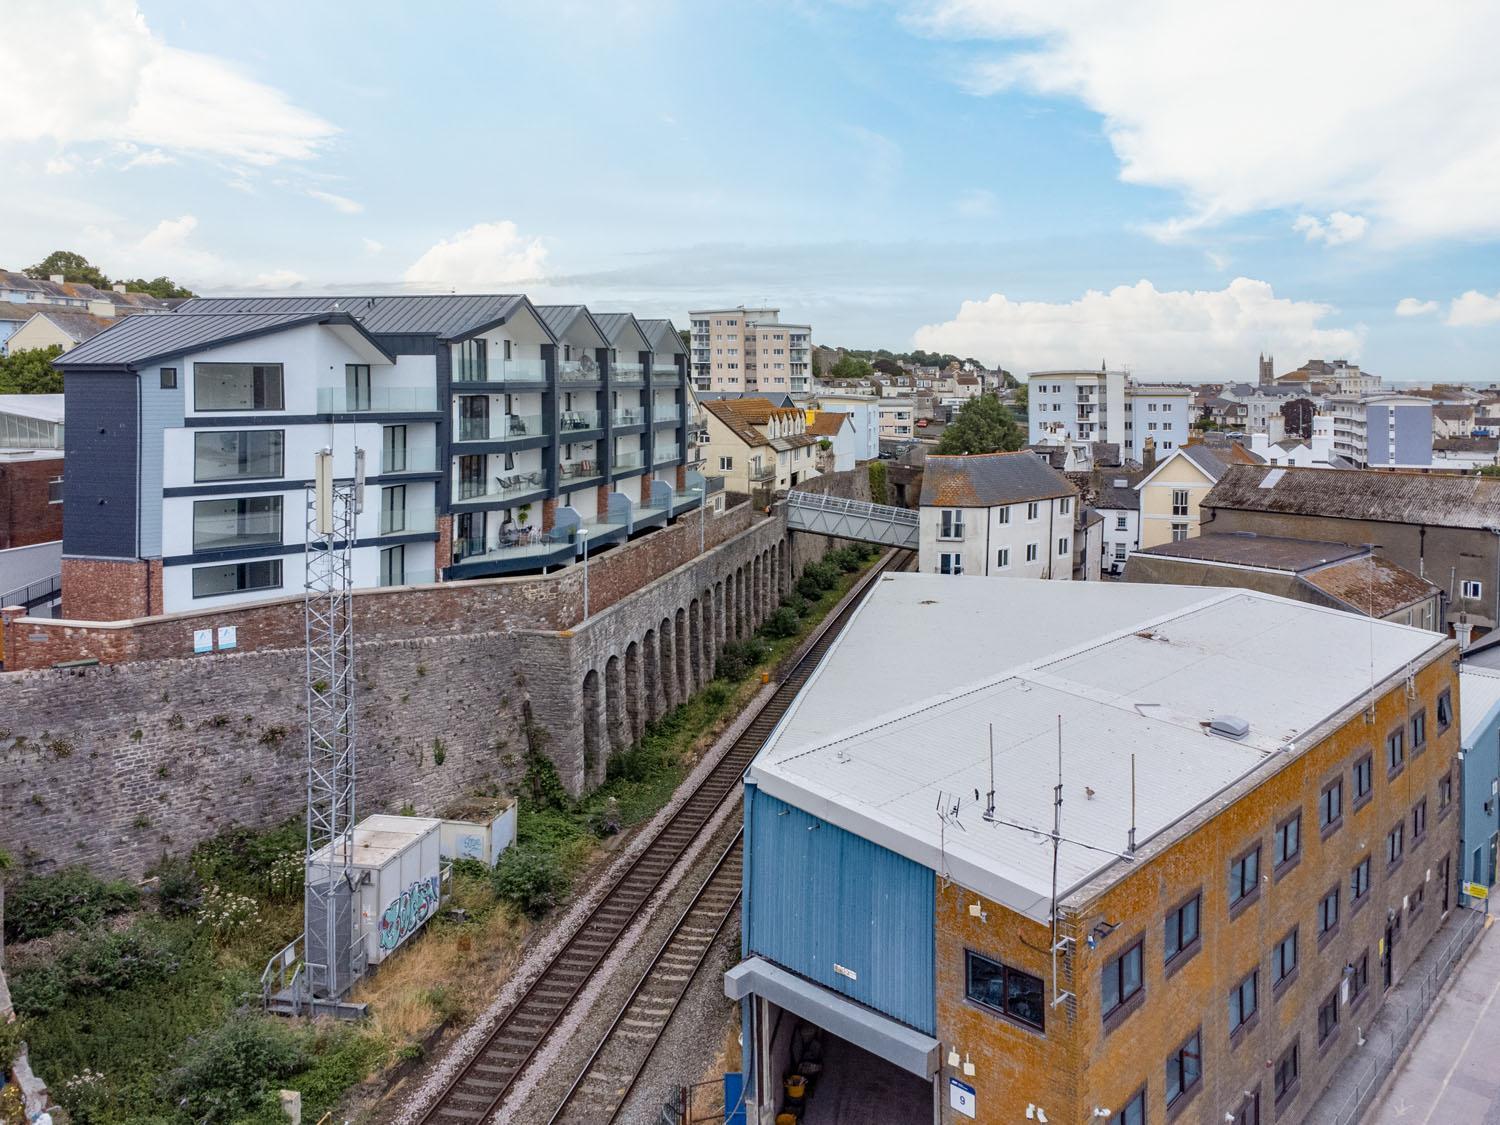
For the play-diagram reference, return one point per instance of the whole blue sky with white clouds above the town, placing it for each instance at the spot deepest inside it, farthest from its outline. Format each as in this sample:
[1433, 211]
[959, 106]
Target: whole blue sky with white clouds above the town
[1168, 187]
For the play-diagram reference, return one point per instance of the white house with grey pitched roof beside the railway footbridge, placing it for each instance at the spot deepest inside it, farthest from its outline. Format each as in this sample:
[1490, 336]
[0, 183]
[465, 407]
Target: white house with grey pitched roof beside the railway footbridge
[1003, 515]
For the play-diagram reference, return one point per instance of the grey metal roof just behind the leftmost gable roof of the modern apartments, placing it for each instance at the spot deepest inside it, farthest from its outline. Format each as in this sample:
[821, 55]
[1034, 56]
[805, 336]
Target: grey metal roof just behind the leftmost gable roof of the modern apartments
[442, 316]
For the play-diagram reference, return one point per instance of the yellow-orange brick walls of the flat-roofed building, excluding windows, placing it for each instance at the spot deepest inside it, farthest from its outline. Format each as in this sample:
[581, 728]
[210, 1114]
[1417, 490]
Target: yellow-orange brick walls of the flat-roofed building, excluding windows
[1084, 1061]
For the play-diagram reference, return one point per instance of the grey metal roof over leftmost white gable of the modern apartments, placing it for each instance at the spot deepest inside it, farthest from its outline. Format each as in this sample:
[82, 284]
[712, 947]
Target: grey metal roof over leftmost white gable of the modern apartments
[142, 340]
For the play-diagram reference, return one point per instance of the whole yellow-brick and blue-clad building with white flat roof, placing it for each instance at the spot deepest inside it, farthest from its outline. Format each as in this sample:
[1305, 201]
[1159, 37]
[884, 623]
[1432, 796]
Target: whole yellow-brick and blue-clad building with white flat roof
[1258, 839]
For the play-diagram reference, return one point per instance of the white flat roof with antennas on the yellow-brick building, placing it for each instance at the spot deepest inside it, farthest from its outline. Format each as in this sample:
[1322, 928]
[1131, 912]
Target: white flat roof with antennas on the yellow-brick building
[1130, 670]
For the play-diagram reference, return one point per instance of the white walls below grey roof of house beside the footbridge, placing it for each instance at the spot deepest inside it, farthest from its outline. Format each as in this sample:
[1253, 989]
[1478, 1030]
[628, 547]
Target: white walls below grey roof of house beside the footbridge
[1030, 539]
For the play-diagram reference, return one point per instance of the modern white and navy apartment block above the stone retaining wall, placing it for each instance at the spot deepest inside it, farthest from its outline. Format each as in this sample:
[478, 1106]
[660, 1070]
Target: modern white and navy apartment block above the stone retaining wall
[499, 437]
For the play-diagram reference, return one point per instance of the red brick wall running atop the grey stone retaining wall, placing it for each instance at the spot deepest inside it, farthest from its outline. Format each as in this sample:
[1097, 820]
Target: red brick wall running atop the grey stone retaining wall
[449, 608]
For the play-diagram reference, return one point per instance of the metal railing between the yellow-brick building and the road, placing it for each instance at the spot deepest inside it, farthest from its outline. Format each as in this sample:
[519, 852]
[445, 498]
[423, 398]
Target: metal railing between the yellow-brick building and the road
[1396, 1024]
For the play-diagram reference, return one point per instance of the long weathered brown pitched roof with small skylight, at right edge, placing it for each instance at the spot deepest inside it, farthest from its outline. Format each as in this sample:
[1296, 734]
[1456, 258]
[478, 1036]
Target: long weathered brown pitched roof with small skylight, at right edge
[1427, 499]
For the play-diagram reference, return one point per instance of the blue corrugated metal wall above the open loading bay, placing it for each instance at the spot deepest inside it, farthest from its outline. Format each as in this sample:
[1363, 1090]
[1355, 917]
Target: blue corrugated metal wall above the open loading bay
[818, 896]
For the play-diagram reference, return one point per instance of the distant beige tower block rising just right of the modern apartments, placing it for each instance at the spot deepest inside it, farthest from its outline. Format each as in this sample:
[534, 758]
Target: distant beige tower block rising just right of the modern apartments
[751, 350]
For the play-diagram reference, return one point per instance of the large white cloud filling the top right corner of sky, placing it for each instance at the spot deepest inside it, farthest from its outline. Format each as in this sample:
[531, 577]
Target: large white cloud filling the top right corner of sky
[1196, 100]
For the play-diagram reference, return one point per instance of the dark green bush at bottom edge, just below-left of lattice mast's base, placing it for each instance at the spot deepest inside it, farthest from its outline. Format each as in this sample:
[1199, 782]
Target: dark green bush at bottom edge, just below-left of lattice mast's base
[229, 1070]
